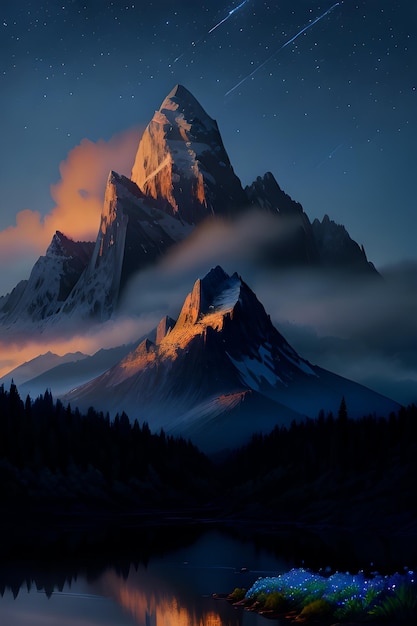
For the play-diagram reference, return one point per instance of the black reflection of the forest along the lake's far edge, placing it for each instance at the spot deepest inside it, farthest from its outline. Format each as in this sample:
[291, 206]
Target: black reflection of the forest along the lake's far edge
[37, 533]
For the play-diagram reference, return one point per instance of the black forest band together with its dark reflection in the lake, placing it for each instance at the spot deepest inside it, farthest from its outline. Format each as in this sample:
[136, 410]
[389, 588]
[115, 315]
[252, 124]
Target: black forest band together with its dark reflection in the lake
[81, 477]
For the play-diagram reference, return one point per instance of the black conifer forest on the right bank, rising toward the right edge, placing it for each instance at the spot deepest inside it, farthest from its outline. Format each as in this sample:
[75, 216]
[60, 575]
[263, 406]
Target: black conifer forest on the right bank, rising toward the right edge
[334, 470]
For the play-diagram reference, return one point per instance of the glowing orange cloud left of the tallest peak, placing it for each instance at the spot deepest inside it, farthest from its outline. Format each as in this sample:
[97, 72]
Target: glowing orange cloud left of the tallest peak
[79, 198]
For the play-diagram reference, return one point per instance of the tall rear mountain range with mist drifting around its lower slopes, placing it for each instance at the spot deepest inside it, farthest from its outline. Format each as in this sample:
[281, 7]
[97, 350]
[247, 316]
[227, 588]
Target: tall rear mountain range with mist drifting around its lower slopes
[182, 211]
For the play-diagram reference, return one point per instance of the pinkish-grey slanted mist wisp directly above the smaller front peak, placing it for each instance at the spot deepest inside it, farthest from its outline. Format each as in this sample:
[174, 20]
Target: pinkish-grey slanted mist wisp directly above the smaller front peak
[235, 245]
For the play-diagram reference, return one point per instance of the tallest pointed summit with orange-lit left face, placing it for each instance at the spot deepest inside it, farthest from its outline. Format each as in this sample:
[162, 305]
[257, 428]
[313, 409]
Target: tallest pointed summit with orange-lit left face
[182, 163]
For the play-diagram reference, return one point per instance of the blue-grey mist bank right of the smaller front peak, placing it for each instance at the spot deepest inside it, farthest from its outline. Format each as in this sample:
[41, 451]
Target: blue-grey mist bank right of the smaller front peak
[363, 330]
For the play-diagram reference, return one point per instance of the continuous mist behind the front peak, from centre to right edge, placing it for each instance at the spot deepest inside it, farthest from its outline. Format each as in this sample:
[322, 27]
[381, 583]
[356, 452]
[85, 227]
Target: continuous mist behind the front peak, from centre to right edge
[363, 329]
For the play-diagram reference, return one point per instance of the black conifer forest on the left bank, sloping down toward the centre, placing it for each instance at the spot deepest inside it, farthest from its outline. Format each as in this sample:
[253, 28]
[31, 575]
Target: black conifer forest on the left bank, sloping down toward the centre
[54, 453]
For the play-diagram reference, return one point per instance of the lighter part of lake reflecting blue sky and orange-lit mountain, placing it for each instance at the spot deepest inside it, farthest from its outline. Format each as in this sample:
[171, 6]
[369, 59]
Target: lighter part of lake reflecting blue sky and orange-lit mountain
[171, 590]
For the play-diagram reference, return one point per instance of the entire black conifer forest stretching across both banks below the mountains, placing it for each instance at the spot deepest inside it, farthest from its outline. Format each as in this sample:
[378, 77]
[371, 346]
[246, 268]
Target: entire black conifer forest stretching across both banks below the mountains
[313, 470]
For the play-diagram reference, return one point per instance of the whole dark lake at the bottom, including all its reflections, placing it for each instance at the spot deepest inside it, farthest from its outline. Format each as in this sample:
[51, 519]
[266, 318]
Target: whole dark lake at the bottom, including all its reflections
[165, 576]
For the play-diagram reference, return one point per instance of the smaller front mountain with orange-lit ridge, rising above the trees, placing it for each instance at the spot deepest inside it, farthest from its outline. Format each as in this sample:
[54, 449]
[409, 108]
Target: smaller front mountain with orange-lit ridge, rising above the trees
[221, 373]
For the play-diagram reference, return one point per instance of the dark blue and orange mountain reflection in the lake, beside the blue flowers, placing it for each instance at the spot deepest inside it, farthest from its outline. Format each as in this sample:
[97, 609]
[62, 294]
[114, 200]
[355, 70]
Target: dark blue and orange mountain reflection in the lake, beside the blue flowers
[177, 590]
